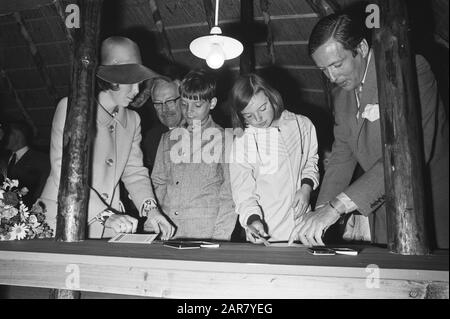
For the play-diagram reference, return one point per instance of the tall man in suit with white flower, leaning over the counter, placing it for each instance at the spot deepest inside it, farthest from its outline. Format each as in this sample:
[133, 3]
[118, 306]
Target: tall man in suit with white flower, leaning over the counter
[339, 47]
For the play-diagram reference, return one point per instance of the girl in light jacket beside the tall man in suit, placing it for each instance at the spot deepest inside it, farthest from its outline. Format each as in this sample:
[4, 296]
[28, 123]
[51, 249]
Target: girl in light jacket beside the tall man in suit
[273, 164]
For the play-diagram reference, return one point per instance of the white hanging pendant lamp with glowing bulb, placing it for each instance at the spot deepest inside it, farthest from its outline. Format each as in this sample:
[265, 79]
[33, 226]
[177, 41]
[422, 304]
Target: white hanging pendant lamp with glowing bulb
[216, 48]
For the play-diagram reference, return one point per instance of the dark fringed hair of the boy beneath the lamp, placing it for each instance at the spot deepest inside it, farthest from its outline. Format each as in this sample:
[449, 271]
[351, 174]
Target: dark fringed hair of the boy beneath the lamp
[198, 85]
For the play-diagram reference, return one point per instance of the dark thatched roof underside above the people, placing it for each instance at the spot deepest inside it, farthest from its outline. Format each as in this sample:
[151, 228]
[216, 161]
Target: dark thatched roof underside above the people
[24, 90]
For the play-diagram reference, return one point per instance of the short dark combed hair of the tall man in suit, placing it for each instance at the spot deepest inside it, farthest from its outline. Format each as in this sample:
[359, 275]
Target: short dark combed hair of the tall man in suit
[345, 29]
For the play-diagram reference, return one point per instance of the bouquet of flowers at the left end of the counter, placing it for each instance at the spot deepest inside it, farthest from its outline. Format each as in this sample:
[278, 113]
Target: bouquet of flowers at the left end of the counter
[17, 221]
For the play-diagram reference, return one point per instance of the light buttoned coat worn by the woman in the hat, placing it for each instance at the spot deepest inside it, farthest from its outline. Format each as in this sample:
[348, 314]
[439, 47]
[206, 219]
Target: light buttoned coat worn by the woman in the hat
[116, 155]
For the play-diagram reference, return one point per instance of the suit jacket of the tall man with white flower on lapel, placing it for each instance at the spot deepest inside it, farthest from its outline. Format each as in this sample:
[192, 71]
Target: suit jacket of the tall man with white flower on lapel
[358, 140]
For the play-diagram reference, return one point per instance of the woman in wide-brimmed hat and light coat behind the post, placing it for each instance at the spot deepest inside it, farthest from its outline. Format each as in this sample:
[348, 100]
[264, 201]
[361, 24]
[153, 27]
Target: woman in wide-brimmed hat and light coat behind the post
[116, 148]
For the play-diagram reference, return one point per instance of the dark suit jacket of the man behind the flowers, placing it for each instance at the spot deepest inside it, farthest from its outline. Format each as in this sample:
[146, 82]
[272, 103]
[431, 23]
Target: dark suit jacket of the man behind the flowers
[31, 170]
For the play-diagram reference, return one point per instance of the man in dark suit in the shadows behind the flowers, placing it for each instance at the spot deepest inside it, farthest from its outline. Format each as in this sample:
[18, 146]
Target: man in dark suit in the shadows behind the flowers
[29, 167]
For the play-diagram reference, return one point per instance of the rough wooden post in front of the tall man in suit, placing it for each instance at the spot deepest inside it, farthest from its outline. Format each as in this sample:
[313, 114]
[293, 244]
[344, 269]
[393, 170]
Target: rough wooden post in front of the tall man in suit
[400, 131]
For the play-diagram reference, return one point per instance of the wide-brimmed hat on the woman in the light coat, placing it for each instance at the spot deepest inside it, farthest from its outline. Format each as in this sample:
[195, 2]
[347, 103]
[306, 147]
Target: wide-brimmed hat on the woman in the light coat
[121, 62]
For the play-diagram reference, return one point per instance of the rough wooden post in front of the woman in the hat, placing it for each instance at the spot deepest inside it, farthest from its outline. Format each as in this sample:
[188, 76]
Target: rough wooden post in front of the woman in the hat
[73, 187]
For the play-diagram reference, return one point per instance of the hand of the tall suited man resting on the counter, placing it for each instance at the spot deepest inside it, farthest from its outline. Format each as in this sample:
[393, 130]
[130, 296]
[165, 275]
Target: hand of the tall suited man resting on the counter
[311, 227]
